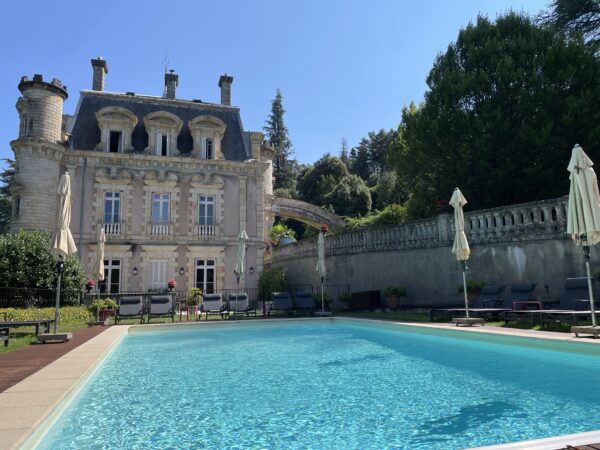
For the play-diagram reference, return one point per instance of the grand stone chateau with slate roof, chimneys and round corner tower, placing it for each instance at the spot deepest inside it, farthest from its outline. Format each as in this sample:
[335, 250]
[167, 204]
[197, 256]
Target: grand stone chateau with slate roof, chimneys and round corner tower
[172, 181]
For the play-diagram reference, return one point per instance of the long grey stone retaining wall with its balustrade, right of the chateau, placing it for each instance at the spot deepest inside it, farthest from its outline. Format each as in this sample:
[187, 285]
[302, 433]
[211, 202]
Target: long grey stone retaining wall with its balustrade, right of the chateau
[518, 243]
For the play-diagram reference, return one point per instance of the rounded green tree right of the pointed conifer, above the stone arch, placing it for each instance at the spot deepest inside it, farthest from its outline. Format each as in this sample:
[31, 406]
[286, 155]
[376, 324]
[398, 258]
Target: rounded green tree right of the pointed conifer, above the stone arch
[316, 181]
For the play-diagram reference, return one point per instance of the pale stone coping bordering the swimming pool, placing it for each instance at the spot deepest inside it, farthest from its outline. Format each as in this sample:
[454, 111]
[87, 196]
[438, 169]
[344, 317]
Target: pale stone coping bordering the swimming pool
[28, 408]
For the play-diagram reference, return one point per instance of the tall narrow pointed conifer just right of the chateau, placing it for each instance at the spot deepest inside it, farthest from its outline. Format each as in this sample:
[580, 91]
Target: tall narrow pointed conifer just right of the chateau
[285, 168]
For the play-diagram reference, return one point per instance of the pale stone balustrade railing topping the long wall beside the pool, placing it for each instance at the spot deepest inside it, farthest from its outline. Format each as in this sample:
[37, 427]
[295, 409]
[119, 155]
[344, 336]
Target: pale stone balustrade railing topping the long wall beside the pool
[546, 219]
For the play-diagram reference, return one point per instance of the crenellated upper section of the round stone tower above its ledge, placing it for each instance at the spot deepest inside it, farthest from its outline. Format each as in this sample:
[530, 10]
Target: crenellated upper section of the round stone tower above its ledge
[41, 108]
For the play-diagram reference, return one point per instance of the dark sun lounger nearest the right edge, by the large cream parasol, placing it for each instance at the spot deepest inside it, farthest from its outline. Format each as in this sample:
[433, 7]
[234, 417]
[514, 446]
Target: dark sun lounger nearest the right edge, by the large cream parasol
[574, 300]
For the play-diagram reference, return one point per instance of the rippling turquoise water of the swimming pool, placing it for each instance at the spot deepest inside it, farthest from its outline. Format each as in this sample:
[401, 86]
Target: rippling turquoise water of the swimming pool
[329, 385]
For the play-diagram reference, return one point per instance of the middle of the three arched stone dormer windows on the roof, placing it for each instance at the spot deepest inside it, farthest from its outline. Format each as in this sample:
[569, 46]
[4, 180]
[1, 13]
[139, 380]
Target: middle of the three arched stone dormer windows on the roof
[162, 128]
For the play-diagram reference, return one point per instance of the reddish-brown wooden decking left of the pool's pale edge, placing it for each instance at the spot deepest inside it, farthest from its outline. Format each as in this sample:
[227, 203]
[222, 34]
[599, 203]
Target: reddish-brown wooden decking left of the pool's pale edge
[19, 364]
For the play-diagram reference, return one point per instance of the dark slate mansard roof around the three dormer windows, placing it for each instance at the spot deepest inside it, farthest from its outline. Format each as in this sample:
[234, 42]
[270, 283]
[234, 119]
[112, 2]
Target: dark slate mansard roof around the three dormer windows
[85, 134]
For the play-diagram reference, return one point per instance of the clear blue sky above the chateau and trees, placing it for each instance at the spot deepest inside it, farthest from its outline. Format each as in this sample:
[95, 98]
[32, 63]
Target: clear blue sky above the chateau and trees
[344, 67]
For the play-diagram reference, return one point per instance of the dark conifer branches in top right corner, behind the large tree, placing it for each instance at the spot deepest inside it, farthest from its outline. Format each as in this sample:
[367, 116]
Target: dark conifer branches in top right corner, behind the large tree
[580, 16]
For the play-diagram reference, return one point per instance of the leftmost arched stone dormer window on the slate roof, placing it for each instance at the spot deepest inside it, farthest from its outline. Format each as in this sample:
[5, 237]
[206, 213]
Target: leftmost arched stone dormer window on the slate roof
[116, 126]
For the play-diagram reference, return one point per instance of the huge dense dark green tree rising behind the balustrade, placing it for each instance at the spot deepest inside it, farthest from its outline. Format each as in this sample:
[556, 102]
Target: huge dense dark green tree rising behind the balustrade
[505, 105]
